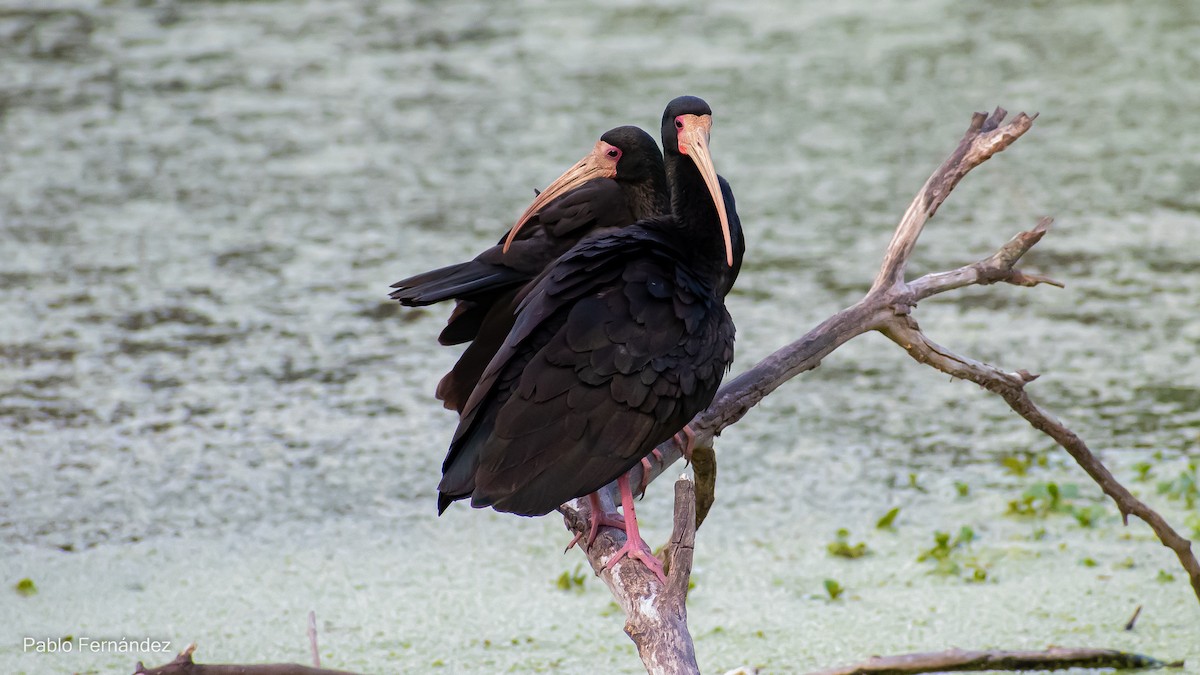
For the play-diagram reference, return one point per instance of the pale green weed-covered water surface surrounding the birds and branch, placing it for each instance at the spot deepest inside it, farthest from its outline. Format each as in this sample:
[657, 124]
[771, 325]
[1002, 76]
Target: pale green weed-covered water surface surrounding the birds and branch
[213, 421]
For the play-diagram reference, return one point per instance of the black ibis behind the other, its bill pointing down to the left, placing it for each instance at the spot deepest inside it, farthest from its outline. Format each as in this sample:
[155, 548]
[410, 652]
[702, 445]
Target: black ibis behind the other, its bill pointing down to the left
[620, 183]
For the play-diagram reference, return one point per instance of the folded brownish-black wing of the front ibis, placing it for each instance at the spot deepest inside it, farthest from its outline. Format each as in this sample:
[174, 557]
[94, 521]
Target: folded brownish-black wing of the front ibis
[603, 365]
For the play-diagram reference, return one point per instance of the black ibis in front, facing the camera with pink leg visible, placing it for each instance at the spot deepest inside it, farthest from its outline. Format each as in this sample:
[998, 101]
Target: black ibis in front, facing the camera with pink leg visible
[615, 348]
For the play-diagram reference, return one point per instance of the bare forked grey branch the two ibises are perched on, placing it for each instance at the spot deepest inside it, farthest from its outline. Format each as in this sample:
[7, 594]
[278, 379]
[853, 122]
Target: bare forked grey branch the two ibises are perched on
[887, 308]
